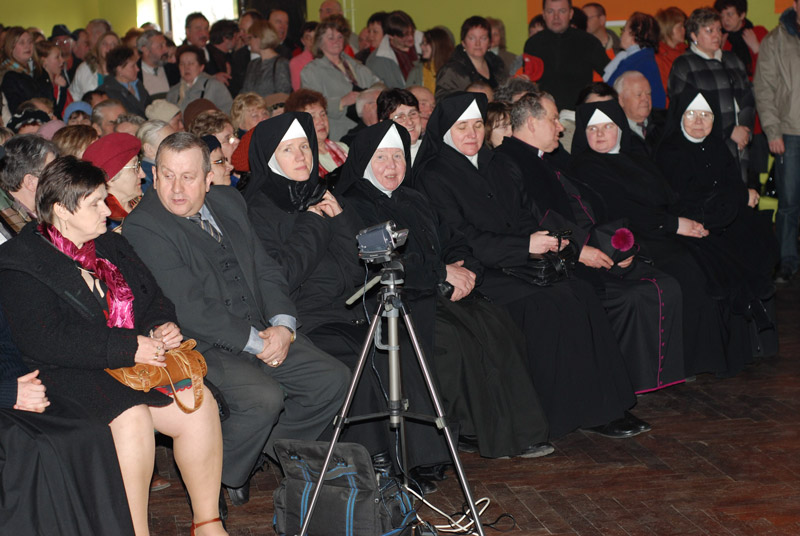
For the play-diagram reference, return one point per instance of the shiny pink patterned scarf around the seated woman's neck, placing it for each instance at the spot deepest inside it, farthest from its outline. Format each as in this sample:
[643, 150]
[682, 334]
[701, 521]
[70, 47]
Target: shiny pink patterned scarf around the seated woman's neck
[119, 295]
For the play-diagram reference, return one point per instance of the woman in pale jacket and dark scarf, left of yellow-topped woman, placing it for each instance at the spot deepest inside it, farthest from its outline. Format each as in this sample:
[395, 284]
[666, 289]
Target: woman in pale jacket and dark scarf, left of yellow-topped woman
[395, 61]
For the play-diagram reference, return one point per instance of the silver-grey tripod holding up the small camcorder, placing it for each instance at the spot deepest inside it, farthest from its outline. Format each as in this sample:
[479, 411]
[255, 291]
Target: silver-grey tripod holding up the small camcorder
[391, 306]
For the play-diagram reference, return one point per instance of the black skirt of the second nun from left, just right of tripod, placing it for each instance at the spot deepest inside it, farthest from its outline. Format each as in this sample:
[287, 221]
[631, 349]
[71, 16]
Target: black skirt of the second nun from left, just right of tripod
[479, 363]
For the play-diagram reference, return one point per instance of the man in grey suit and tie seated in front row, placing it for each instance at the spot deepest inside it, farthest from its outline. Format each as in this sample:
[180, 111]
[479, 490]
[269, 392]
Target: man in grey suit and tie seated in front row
[232, 298]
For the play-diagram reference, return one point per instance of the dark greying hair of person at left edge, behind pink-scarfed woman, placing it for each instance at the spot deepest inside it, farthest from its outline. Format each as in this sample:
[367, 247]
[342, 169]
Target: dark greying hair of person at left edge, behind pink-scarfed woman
[25, 154]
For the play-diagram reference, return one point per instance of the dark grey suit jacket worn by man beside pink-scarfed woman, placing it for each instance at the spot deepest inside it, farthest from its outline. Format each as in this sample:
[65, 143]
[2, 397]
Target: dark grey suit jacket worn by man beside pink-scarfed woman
[184, 260]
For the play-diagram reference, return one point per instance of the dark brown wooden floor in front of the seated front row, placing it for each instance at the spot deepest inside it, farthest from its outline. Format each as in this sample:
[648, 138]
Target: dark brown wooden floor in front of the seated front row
[723, 458]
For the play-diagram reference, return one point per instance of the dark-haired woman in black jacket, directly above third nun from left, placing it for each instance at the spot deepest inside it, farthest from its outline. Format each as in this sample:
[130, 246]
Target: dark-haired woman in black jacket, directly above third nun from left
[471, 61]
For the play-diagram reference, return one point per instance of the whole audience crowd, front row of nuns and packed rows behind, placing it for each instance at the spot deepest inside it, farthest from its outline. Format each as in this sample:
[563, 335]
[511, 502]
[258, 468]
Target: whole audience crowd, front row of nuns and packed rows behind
[584, 227]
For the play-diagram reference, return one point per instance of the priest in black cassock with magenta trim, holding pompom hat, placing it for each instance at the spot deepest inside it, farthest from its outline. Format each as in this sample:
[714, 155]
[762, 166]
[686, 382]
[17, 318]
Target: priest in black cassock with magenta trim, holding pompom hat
[644, 305]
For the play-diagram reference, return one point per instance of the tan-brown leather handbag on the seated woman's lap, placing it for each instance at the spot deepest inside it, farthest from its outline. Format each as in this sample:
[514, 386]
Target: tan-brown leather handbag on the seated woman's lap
[183, 362]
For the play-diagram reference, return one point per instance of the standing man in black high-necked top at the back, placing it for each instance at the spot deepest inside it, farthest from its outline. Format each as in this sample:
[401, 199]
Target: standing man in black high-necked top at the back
[569, 56]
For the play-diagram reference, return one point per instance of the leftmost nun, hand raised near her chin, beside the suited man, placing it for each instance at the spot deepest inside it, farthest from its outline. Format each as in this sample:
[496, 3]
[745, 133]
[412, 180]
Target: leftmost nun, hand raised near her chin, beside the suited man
[305, 229]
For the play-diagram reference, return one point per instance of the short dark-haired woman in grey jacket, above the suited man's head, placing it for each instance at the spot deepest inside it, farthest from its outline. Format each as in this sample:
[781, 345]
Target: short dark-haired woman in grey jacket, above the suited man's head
[195, 84]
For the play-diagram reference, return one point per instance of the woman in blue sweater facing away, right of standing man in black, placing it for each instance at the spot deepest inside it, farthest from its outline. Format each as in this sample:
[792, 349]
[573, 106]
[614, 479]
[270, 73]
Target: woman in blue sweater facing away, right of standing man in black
[639, 39]
